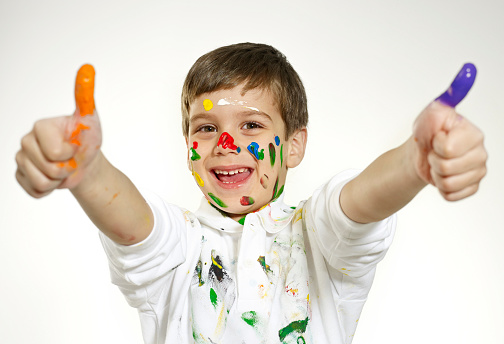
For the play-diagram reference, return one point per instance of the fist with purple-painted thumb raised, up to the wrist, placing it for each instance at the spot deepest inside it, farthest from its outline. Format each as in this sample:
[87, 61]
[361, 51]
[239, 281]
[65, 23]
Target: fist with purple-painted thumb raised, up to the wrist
[449, 149]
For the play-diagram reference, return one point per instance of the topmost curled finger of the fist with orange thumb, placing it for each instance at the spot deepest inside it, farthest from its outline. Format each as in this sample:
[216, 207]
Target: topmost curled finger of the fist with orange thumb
[49, 134]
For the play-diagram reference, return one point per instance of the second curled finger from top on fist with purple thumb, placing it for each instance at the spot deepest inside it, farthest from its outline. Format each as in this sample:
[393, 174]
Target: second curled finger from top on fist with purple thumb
[474, 159]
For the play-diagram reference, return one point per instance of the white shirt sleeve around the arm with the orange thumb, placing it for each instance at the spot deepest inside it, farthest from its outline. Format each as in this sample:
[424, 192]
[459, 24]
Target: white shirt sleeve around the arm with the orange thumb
[137, 269]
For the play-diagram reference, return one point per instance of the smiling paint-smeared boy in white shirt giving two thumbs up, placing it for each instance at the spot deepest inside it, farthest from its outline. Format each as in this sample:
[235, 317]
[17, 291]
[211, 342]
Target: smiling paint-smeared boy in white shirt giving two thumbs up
[246, 268]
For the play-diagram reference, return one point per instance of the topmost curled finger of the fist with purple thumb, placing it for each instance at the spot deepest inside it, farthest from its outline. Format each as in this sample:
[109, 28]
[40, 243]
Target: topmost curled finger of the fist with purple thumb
[461, 138]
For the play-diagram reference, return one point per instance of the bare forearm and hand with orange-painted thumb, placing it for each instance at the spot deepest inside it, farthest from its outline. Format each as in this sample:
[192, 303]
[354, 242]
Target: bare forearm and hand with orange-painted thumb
[64, 152]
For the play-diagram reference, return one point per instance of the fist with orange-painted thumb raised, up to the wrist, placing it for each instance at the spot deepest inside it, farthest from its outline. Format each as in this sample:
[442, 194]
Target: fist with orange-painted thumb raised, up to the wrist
[59, 151]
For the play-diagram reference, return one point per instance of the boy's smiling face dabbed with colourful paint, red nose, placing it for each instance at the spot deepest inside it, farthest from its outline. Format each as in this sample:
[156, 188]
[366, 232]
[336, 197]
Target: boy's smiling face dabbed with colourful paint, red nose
[237, 149]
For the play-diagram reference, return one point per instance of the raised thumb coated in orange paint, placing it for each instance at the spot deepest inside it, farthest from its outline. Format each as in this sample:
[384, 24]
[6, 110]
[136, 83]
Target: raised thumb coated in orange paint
[84, 90]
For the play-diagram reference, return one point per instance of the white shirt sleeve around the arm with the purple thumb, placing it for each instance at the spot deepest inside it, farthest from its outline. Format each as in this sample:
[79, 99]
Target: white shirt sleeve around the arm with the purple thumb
[349, 247]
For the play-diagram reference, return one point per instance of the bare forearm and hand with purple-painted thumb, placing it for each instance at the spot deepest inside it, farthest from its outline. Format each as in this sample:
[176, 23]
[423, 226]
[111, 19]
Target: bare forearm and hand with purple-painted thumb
[445, 150]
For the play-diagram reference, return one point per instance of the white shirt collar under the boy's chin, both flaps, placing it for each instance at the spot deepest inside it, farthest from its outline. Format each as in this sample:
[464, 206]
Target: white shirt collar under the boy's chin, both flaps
[274, 217]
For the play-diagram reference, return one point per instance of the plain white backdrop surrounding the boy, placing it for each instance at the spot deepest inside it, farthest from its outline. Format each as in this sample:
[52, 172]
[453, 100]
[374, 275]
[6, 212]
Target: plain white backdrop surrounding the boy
[369, 68]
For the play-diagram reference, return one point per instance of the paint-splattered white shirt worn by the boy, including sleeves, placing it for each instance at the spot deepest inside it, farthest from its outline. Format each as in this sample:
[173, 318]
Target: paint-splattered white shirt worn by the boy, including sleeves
[288, 275]
